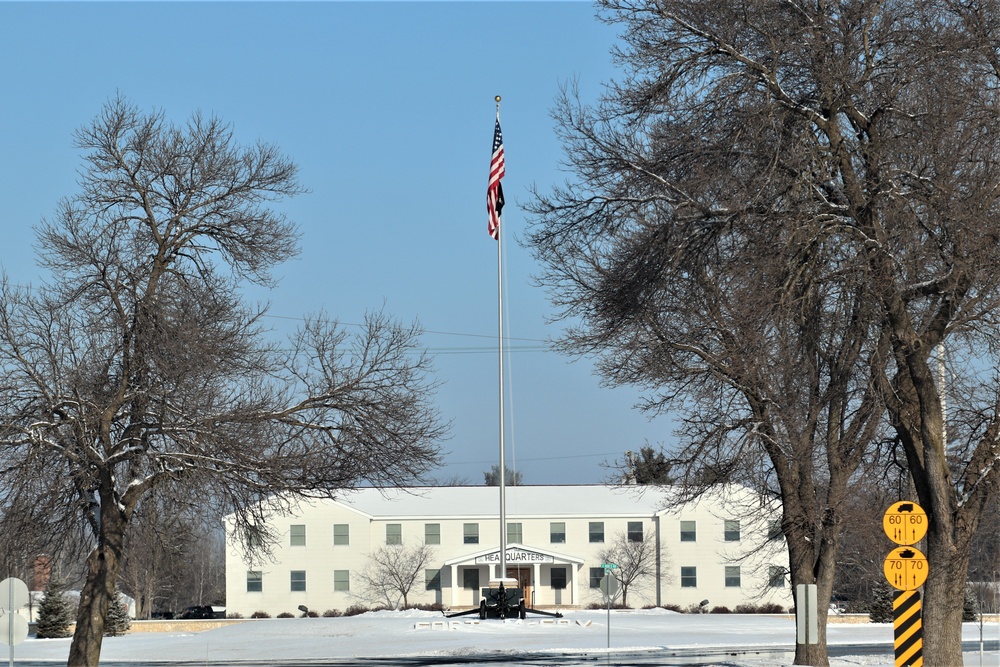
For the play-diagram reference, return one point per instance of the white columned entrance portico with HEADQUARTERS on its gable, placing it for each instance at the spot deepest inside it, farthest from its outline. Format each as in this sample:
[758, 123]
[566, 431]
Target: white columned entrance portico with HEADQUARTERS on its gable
[533, 567]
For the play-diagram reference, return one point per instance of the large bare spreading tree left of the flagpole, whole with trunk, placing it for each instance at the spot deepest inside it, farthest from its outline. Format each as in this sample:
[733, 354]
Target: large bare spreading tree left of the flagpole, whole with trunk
[137, 370]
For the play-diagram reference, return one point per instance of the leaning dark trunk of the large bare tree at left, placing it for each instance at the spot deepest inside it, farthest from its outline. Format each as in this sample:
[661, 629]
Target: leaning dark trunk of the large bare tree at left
[103, 566]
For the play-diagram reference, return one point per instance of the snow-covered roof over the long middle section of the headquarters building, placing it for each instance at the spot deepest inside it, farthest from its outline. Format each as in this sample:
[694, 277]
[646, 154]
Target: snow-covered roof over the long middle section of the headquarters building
[522, 501]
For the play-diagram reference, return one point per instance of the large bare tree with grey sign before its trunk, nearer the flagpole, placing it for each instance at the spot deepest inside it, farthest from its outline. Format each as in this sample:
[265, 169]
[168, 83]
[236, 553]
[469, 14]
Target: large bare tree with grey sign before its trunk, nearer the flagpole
[682, 250]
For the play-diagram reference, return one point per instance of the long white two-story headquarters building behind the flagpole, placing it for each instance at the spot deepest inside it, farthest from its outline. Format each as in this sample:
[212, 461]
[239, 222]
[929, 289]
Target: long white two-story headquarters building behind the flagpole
[721, 548]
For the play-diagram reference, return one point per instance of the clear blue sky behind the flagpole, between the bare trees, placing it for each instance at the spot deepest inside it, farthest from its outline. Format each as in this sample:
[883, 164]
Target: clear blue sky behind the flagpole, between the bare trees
[388, 110]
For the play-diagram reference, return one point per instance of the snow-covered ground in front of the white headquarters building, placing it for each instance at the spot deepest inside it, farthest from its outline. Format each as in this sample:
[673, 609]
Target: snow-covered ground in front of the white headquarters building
[413, 633]
